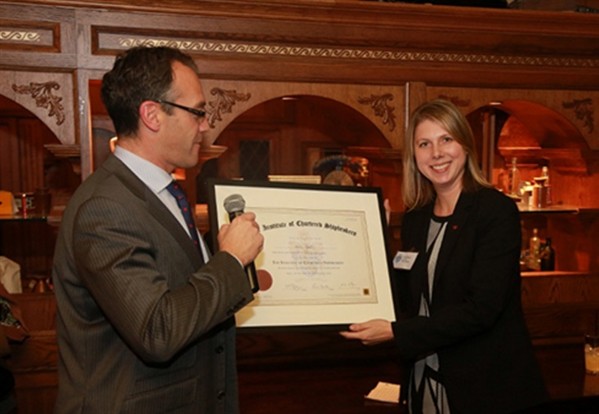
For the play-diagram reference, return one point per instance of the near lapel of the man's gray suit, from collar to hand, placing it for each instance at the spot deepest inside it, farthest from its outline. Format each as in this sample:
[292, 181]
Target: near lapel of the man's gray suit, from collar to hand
[154, 206]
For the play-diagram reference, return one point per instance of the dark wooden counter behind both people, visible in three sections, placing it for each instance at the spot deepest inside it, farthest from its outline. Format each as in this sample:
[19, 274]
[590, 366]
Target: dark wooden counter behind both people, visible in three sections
[317, 371]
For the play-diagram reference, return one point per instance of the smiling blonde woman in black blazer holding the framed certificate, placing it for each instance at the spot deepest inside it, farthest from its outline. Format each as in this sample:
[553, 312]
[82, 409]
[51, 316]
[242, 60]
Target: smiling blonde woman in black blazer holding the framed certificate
[461, 330]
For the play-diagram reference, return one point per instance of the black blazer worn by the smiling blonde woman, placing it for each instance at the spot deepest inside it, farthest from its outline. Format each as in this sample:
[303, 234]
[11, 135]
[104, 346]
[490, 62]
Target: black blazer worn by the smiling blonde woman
[476, 325]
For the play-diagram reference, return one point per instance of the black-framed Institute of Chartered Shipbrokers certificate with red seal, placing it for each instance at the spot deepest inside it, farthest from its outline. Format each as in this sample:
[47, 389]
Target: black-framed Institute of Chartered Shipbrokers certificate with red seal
[324, 261]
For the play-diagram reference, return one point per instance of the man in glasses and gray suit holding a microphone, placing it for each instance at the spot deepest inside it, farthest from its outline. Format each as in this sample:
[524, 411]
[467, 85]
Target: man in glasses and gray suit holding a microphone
[146, 317]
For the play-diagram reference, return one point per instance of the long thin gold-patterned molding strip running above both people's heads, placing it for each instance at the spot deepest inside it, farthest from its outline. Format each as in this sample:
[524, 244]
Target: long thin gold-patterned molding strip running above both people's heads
[200, 46]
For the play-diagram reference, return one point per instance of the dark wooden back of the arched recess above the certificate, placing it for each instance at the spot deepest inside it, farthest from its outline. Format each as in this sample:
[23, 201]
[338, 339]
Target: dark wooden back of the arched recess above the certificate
[308, 122]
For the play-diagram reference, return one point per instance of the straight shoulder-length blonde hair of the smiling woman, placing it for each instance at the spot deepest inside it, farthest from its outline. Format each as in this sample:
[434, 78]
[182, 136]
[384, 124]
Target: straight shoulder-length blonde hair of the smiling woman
[417, 190]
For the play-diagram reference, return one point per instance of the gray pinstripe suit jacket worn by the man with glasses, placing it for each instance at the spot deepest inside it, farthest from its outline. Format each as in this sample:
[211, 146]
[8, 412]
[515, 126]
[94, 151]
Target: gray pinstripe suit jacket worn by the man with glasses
[142, 326]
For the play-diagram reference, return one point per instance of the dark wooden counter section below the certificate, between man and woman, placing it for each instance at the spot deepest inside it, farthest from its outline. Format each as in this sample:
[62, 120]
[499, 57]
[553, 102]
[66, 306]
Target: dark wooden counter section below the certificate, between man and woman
[311, 370]
